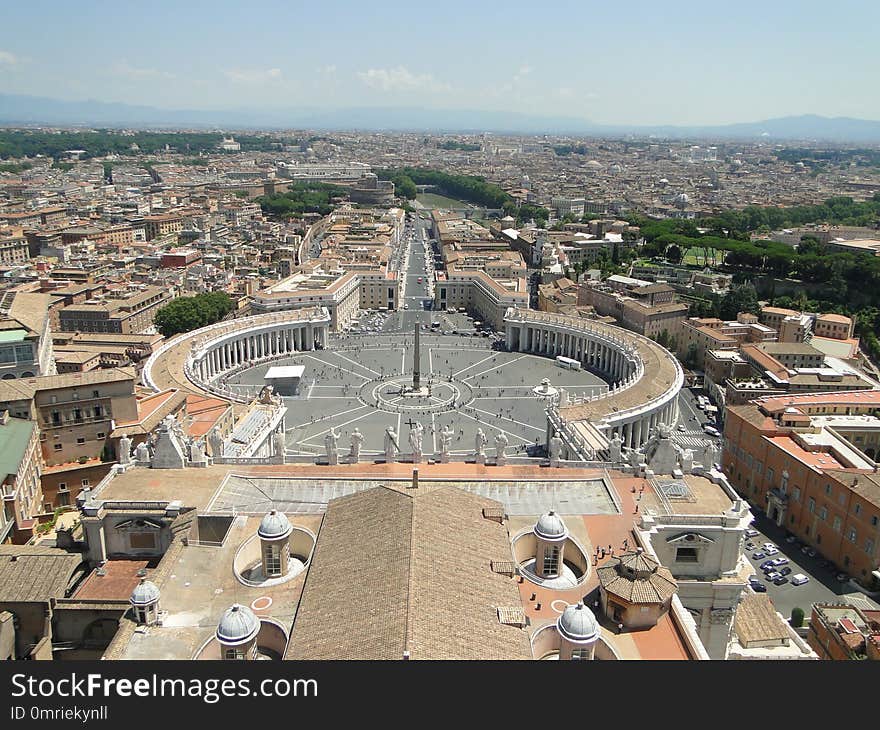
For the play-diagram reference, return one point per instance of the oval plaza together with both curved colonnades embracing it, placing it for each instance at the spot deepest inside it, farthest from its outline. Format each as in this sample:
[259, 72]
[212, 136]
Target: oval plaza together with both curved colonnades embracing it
[627, 387]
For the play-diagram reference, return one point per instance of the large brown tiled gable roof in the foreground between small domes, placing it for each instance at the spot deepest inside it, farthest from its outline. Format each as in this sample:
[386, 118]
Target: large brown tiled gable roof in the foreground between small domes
[397, 571]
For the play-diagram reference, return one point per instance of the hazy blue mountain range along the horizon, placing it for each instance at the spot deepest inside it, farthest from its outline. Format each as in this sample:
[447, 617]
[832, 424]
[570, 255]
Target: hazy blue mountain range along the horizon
[19, 109]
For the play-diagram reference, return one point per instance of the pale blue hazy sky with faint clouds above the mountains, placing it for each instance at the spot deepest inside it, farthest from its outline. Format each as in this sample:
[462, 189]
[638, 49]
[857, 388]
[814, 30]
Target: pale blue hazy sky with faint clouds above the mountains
[676, 62]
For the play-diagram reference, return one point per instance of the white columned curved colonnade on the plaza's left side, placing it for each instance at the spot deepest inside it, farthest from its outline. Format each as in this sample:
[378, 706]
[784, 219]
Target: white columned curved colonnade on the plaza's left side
[200, 360]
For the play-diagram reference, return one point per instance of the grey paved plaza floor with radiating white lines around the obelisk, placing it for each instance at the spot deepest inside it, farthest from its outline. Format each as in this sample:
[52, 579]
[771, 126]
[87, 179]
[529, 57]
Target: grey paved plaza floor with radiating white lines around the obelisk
[360, 381]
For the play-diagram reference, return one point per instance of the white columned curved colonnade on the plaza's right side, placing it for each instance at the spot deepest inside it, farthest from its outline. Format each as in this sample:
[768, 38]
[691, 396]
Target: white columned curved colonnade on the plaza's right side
[644, 378]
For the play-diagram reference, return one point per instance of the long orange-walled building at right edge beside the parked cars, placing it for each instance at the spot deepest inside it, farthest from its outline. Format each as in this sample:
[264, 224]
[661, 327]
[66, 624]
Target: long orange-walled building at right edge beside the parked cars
[807, 462]
